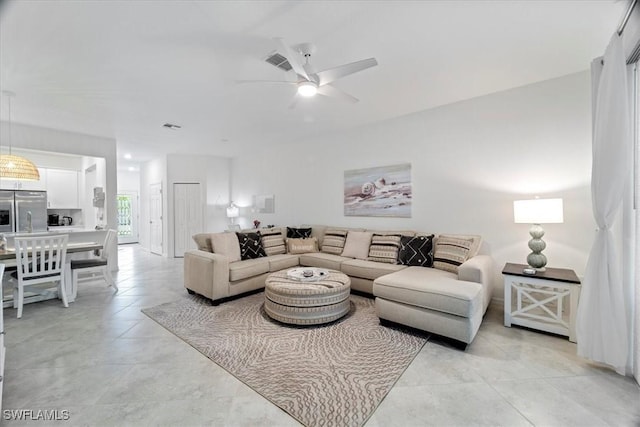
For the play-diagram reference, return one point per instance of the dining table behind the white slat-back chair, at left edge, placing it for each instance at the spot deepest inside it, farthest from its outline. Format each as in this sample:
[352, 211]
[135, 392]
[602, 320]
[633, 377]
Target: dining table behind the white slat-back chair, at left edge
[8, 258]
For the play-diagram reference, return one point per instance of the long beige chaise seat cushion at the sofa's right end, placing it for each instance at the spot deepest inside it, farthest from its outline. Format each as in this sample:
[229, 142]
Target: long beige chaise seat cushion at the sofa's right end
[430, 288]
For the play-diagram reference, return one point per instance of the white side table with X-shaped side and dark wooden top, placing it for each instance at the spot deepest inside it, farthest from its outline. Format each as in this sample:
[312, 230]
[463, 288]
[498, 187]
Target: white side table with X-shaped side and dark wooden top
[537, 301]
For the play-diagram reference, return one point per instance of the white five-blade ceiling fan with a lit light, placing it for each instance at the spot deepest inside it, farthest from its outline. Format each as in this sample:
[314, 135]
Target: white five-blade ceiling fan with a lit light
[309, 82]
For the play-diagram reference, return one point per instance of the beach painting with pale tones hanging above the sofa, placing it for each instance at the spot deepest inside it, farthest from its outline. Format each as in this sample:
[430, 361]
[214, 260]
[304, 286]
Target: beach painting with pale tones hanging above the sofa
[379, 191]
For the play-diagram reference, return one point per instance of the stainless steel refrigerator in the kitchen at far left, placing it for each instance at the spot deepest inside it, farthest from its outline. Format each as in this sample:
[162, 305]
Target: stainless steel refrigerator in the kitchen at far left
[21, 210]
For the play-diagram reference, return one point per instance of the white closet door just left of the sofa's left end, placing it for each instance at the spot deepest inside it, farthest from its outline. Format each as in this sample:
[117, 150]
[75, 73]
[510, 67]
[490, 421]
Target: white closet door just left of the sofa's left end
[187, 216]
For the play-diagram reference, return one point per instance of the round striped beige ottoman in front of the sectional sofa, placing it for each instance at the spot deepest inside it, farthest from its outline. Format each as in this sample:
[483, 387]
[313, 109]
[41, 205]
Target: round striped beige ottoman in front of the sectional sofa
[296, 302]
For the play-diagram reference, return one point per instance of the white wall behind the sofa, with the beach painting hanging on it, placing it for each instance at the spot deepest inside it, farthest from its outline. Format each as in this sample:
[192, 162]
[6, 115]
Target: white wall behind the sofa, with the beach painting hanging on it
[470, 160]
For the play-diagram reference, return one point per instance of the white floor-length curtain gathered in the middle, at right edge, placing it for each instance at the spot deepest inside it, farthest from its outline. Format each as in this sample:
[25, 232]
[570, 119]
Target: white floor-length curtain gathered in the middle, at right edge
[602, 327]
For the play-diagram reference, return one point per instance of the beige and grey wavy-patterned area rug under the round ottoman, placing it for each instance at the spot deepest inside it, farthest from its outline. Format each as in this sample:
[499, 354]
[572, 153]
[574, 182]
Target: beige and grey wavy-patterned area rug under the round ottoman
[328, 375]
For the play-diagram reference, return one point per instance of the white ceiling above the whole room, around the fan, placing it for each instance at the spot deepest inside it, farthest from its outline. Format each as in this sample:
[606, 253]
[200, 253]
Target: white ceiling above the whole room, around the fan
[121, 69]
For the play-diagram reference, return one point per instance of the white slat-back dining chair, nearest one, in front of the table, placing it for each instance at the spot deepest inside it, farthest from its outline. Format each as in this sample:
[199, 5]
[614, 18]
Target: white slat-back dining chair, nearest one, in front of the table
[39, 259]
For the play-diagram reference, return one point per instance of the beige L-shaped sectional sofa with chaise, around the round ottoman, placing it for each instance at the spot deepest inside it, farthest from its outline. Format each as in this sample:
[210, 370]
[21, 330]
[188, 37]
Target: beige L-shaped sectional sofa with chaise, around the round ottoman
[448, 303]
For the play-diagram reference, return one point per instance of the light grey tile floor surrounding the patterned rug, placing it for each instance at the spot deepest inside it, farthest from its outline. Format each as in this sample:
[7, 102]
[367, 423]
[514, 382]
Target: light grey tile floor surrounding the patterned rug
[108, 364]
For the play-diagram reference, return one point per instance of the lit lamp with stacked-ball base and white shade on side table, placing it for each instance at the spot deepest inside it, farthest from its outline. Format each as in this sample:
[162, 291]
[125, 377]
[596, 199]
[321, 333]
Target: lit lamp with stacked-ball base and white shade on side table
[536, 212]
